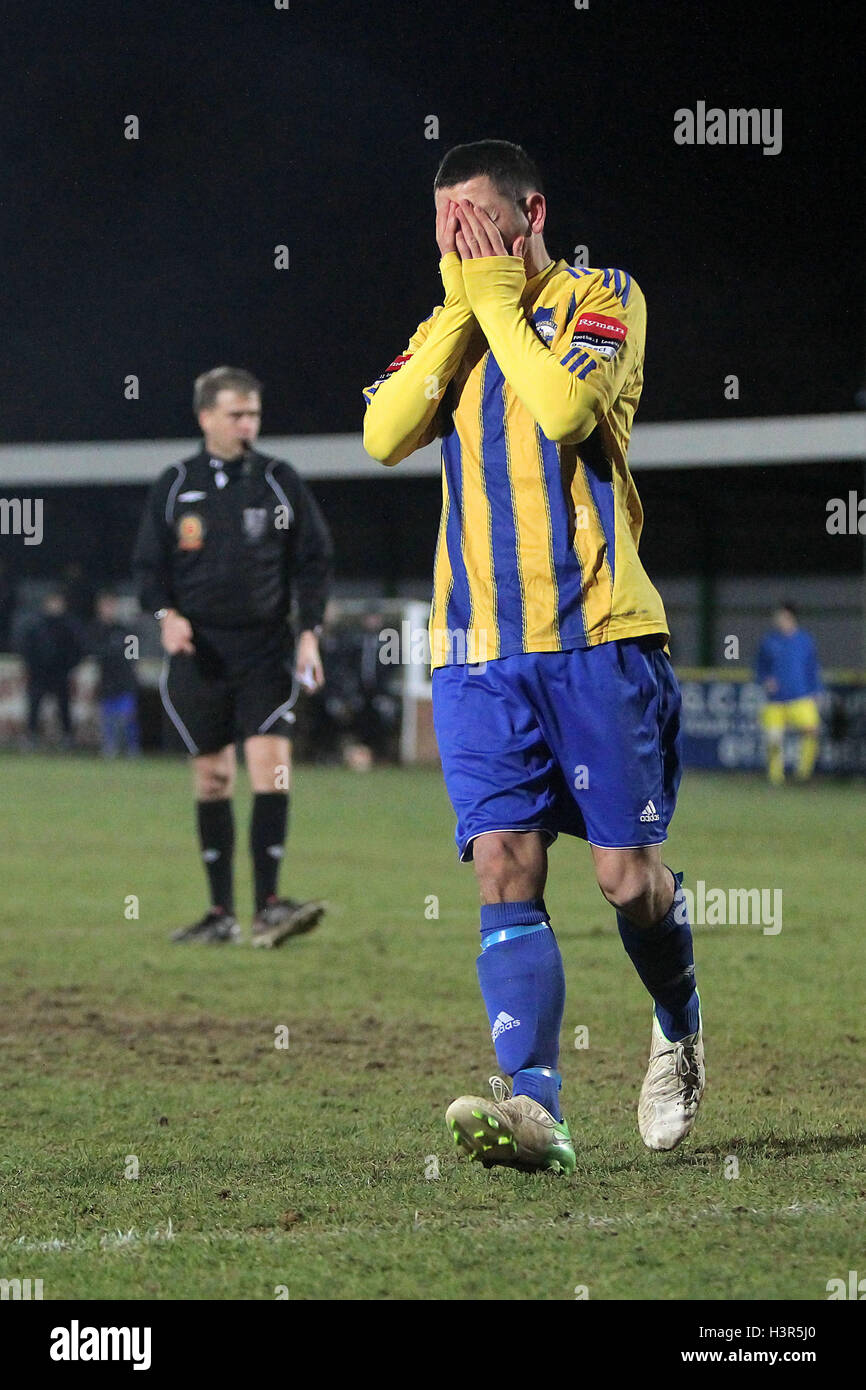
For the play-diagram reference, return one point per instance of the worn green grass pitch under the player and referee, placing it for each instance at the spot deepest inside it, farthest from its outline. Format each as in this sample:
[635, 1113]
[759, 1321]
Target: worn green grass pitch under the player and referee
[311, 1171]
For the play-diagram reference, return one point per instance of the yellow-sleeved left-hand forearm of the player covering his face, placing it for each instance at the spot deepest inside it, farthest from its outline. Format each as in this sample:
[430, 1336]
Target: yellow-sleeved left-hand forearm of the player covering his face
[401, 412]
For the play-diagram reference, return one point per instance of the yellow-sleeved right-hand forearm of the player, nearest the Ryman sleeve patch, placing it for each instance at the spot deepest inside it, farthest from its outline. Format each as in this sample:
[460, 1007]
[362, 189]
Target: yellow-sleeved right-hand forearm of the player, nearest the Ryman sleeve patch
[564, 407]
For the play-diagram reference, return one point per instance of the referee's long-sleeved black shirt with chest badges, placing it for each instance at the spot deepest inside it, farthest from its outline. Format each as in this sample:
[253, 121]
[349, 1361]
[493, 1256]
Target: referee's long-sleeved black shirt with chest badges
[230, 546]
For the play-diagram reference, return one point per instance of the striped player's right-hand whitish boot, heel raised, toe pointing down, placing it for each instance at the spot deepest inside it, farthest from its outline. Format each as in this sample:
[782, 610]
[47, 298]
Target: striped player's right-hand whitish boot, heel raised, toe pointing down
[672, 1089]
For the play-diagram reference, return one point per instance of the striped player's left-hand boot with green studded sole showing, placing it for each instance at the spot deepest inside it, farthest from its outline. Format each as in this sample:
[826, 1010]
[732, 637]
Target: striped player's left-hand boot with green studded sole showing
[512, 1132]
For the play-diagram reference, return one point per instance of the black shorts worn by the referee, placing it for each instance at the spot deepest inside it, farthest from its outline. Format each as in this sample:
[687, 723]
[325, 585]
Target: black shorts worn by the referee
[238, 685]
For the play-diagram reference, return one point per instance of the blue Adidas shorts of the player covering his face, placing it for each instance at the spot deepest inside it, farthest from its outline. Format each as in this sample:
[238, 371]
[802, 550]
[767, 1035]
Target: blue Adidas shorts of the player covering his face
[586, 743]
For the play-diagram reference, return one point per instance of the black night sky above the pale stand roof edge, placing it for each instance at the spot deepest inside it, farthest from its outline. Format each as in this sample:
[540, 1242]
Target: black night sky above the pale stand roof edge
[307, 127]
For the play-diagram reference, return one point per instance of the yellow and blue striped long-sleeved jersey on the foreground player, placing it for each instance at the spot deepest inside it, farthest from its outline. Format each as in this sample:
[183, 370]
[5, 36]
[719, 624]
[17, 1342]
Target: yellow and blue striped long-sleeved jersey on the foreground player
[533, 389]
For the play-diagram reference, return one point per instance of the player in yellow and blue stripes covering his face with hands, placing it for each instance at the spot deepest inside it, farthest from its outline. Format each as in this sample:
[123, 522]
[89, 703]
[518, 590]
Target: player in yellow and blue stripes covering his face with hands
[555, 704]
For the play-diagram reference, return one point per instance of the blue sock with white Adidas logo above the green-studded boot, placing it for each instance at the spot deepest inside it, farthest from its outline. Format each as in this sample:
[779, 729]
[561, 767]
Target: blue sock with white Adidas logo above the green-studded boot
[522, 979]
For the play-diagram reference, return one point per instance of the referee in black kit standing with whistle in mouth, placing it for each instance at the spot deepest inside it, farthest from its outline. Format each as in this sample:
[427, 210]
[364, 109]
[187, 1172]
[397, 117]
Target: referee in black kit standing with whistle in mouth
[230, 539]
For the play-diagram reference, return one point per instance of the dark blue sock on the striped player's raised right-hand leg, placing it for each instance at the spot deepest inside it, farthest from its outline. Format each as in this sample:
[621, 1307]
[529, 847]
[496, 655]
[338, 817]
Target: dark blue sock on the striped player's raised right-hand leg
[664, 957]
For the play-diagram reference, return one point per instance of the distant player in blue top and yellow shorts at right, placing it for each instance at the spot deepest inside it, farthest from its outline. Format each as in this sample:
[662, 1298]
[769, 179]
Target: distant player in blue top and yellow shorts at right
[787, 669]
